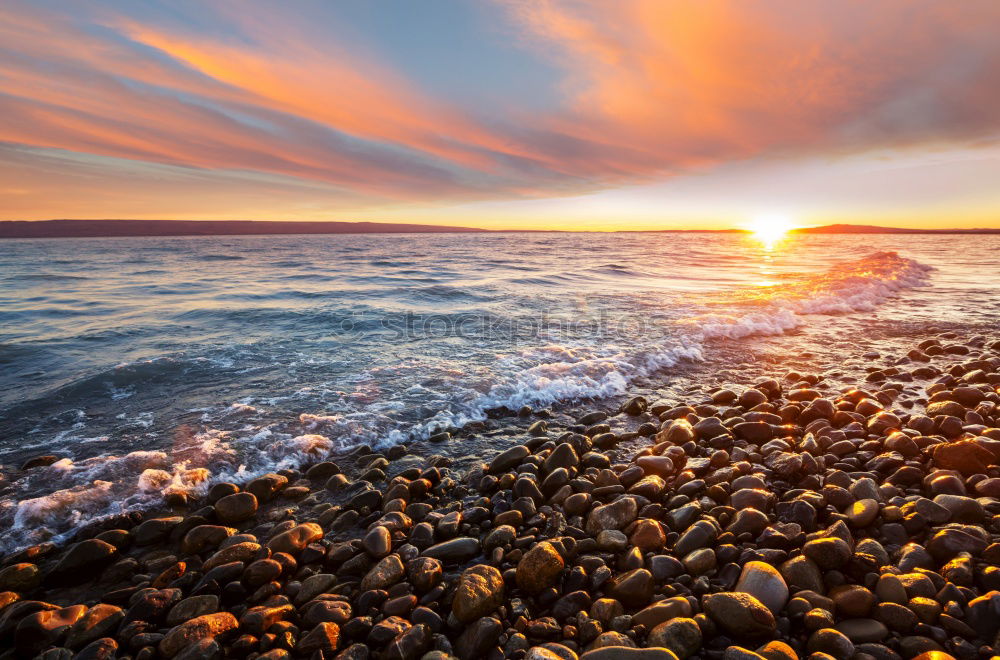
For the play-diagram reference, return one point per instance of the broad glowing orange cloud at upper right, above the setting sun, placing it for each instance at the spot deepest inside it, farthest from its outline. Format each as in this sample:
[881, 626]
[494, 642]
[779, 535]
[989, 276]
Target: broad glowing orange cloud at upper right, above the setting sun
[709, 81]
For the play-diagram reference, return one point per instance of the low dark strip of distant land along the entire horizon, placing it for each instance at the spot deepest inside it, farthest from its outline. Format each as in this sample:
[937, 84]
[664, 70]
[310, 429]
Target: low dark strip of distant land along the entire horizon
[168, 228]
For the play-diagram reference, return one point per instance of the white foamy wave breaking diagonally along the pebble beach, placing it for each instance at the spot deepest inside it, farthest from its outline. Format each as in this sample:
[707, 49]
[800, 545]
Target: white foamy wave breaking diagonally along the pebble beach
[538, 376]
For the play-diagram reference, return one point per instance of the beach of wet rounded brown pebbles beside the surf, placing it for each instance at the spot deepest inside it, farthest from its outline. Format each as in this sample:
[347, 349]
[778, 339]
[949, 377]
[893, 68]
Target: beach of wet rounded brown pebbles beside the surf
[582, 537]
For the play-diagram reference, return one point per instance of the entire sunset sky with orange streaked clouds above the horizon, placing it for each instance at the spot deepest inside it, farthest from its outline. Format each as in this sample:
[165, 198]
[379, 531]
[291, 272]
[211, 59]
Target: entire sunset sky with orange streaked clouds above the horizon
[562, 114]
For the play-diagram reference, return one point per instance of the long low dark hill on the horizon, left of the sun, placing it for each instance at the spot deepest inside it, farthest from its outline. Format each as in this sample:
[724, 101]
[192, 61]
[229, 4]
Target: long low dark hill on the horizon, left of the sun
[103, 228]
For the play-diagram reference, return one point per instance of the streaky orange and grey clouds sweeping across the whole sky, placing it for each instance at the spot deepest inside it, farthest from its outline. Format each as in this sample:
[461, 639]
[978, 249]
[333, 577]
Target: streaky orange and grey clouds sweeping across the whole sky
[648, 89]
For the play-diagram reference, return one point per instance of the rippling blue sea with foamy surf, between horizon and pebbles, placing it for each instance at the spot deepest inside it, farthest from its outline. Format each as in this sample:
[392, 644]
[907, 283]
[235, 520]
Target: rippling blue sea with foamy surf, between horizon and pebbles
[151, 365]
